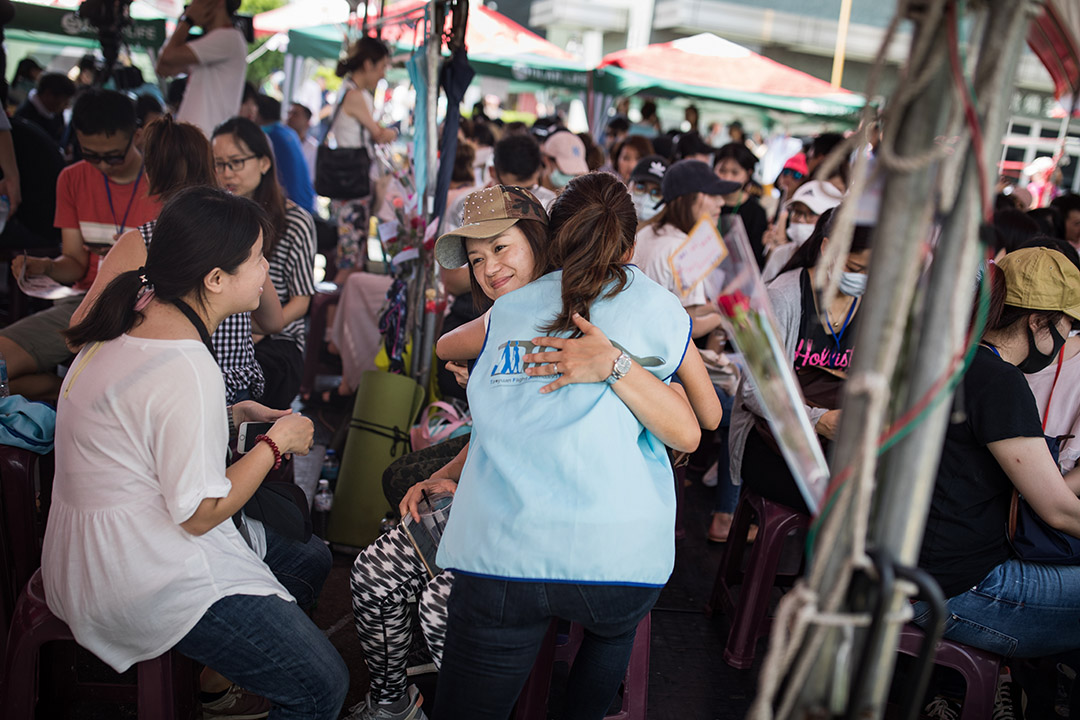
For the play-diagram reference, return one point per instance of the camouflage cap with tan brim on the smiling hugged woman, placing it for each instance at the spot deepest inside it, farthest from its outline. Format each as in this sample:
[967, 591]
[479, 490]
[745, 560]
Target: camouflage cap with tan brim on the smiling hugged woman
[488, 213]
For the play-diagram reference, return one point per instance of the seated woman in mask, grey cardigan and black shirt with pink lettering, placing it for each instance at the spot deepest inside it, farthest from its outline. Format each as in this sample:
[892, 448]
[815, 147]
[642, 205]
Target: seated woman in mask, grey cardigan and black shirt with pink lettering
[819, 342]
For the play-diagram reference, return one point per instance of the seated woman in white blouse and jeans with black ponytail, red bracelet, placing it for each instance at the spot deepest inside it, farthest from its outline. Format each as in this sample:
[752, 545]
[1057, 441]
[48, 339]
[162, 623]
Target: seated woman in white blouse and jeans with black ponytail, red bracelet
[142, 554]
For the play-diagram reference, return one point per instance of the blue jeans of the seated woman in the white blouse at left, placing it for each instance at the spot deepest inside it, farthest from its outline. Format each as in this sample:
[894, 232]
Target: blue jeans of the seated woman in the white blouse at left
[271, 648]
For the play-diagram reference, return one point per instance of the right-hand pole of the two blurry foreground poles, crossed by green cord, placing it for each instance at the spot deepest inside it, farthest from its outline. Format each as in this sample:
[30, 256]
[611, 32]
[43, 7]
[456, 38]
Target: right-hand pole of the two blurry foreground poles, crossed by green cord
[910, 470]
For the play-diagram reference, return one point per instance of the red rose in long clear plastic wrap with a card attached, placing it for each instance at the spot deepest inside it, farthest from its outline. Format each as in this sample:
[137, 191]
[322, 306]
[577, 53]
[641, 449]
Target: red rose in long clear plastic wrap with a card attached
[726, 265]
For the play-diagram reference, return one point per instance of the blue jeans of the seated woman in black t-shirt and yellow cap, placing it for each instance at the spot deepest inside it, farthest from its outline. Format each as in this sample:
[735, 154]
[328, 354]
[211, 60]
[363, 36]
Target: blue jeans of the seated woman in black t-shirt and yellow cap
[1019, 610]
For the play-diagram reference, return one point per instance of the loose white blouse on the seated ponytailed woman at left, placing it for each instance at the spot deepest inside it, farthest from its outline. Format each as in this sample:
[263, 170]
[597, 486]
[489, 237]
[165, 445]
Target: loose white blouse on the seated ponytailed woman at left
[141, 442]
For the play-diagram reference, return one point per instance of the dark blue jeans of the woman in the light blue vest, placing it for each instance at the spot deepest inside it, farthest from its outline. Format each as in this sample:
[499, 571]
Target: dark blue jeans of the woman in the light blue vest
[494, 635]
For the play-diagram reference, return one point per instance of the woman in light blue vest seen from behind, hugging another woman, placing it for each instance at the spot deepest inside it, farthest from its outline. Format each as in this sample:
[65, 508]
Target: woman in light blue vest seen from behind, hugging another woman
[566, 506]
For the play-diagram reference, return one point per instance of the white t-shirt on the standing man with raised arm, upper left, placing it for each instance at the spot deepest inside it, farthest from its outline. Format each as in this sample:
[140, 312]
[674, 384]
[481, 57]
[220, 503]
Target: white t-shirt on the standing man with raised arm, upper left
[215, 86]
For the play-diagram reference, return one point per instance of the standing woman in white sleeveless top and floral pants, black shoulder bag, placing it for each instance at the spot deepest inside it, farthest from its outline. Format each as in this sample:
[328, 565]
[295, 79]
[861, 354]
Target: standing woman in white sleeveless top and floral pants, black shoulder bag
[356, 127]
